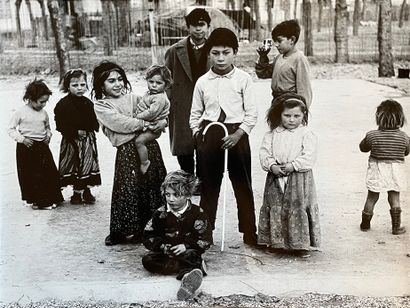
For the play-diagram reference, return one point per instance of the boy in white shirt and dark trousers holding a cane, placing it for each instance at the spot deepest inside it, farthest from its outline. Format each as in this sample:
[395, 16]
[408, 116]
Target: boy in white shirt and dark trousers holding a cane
[224, 94]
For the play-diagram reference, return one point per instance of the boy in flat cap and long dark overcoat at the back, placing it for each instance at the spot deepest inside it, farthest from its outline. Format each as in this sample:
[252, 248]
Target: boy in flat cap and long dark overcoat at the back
[187, 61]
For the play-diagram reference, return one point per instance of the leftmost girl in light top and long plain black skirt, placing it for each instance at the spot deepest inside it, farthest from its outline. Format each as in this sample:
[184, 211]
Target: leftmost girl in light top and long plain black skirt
[30, 128]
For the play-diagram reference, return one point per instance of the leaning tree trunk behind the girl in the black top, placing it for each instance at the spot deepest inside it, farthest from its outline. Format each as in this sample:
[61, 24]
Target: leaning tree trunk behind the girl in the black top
[57, 26]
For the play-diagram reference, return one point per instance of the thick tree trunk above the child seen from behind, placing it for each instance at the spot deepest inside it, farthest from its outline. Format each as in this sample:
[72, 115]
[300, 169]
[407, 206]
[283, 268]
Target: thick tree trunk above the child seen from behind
[384, 37]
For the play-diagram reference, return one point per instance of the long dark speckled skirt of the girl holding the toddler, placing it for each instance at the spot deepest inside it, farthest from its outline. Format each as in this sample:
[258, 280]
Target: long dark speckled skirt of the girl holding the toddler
[135, 196]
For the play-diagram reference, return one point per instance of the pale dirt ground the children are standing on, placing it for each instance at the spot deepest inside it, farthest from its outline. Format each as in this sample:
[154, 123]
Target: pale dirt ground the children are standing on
[60, 254]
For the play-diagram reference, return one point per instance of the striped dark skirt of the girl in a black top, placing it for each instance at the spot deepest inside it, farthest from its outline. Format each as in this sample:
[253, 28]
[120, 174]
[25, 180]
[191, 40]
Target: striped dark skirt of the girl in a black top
[78, 164]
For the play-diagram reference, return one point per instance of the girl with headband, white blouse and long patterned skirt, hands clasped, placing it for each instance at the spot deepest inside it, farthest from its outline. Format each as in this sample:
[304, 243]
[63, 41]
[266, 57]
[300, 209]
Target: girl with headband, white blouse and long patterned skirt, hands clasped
[289, 216]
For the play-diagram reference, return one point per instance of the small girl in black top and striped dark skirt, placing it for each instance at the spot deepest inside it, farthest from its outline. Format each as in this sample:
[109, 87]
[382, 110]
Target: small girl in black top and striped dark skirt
[75, 119]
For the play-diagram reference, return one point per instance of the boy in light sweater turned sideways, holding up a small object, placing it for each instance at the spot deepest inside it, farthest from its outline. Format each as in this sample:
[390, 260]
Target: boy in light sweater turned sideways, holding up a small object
[290, 68]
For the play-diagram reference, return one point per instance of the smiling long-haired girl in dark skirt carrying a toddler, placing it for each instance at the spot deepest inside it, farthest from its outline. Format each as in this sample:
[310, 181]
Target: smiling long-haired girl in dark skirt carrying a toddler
[134, 196]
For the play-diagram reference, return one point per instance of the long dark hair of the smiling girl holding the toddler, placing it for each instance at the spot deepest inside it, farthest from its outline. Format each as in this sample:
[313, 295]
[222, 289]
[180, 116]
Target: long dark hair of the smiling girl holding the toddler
[100, 75]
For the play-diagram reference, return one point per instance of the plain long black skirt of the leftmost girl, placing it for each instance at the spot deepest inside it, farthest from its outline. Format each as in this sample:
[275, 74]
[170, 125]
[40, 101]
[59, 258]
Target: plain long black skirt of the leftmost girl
[38, 175]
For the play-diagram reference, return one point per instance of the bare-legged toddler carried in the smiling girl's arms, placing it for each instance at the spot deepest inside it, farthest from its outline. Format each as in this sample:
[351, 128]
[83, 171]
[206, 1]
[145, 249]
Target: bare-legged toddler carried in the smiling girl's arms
[152, 107]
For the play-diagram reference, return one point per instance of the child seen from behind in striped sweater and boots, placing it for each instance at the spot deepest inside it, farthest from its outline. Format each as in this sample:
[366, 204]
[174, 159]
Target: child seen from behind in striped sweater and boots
[388, 146]
